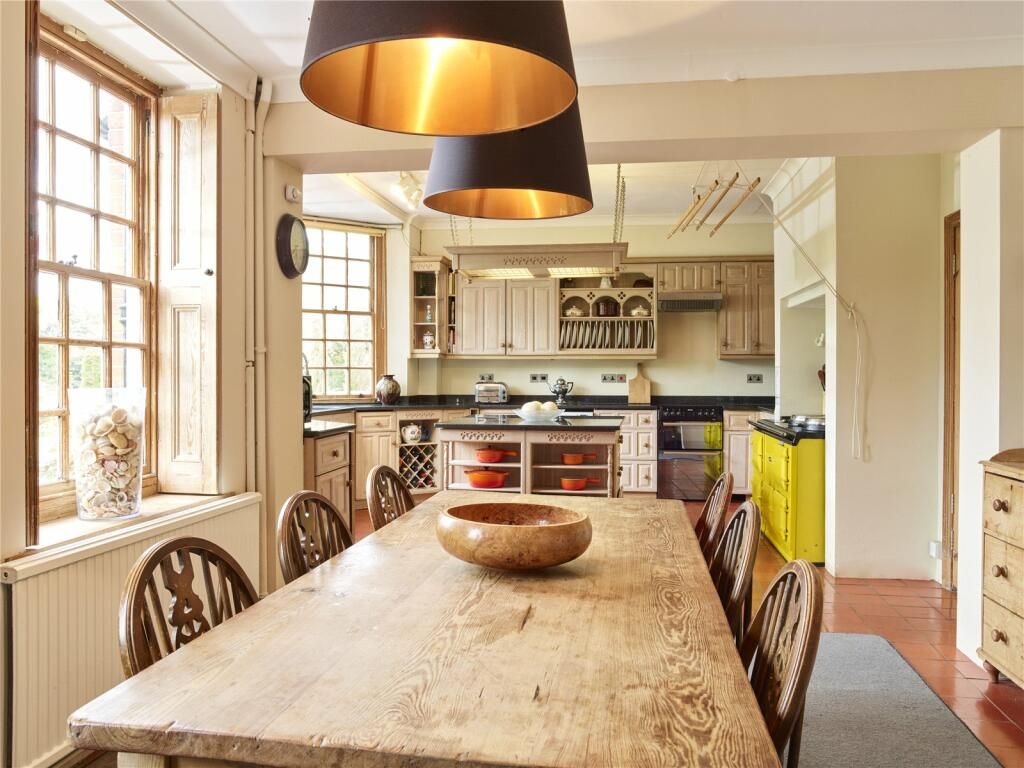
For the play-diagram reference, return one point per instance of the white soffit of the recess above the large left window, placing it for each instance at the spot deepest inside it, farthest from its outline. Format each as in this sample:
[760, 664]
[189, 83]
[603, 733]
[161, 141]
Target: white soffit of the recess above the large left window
[109, 29]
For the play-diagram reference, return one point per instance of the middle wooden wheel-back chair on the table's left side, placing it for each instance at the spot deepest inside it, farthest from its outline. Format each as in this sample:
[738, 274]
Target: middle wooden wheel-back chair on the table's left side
[311, 532]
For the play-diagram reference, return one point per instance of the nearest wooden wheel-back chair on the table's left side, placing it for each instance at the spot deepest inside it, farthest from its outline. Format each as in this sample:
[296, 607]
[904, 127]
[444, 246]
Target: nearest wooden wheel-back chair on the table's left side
[178, 590]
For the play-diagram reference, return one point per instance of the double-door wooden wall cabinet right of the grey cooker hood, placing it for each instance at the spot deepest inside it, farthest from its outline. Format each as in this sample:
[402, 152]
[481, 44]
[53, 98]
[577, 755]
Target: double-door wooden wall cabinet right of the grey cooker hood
[747, 319]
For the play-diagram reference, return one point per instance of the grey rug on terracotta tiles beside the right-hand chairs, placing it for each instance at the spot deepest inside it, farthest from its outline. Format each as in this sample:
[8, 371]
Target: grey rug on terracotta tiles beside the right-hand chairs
[867, 708]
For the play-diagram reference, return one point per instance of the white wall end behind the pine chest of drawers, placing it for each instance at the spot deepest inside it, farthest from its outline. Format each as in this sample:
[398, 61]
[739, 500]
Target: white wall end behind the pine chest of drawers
[992, 344]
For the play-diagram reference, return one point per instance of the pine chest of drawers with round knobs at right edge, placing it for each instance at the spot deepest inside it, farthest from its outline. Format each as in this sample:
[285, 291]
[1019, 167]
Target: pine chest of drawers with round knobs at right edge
[1003, 578]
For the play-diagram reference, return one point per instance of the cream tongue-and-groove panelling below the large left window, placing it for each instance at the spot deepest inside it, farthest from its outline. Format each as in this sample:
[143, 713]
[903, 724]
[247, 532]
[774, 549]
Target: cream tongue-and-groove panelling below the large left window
[64, 608]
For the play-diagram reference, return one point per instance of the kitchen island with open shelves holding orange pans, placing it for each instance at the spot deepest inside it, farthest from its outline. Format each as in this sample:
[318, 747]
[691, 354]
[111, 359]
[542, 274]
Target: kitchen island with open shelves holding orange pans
[530, 457]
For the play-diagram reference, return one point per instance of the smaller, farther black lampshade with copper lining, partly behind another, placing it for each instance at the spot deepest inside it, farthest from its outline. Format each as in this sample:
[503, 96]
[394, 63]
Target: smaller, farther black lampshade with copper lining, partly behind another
[537, 174]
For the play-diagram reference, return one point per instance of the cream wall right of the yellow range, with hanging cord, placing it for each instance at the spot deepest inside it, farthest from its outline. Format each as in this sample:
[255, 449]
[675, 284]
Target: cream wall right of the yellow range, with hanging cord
[888, 267]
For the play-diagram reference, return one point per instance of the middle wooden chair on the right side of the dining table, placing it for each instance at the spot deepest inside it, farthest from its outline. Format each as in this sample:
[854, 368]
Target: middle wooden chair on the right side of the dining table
[733, 567]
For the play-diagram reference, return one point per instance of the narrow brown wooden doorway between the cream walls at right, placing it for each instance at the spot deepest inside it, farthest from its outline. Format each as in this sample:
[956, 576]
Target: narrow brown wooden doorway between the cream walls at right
[951, 433]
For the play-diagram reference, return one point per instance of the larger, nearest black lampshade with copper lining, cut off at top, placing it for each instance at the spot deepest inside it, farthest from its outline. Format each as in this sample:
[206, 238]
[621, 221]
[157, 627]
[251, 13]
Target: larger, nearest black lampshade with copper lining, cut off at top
[441, 69]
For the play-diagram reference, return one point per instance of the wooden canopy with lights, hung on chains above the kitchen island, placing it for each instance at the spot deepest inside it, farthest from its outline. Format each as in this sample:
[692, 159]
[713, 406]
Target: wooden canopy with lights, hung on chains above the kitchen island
[524, 263]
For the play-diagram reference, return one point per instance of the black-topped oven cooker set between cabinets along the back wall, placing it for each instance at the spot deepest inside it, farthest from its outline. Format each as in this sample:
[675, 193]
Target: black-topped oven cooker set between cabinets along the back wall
[690, 451]
